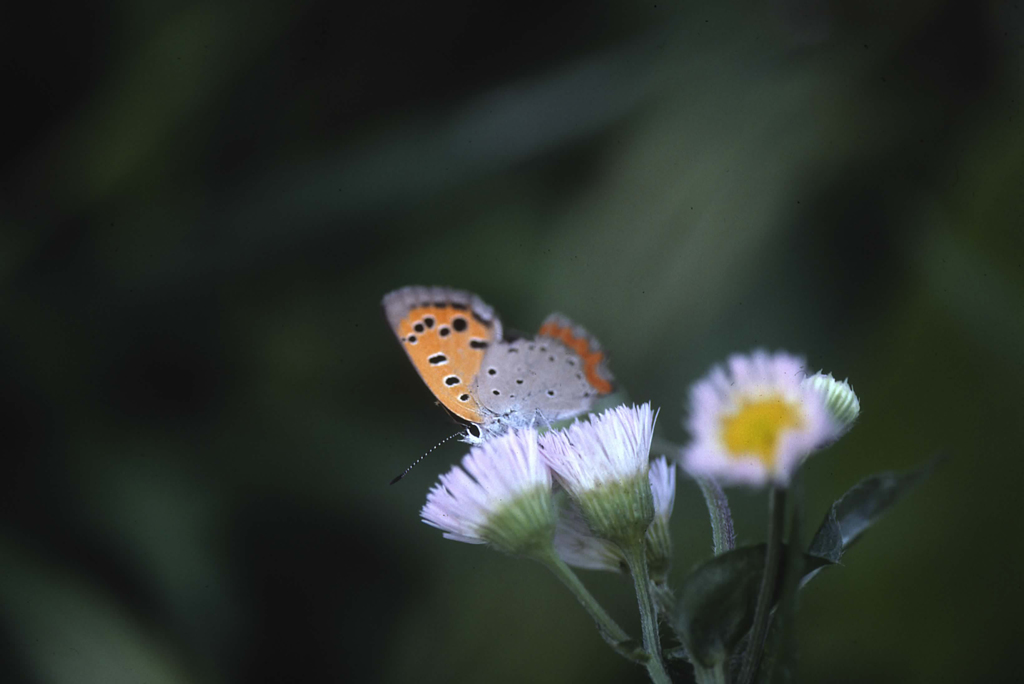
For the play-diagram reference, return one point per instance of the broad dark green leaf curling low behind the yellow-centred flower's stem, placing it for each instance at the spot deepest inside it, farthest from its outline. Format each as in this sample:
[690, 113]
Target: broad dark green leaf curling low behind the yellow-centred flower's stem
[715, 609]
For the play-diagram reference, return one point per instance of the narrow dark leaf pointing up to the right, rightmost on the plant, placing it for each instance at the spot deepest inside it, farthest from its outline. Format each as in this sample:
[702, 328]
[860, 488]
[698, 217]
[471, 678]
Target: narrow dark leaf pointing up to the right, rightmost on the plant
[862, 507]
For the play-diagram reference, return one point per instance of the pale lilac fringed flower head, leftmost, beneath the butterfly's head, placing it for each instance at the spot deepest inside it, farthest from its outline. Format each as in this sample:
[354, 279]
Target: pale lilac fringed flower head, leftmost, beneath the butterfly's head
[501, 496]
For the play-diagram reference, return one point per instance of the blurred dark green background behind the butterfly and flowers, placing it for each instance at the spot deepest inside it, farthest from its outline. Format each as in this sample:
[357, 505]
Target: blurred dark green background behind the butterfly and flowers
[202, 204]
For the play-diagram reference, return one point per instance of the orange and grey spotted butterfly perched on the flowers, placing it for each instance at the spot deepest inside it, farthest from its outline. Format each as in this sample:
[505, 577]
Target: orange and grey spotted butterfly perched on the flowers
[490, 383]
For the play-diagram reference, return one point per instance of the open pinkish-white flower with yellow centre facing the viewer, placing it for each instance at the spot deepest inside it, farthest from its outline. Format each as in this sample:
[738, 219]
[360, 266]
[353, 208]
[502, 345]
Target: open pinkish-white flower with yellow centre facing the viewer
[756, 421]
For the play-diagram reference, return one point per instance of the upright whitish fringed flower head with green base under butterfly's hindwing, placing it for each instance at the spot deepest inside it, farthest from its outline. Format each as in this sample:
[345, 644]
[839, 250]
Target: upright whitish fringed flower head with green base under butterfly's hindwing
[603, 464]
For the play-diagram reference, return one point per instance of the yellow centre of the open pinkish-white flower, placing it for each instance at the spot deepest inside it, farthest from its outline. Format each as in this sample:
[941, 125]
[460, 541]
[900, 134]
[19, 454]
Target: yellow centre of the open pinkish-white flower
[756, 427]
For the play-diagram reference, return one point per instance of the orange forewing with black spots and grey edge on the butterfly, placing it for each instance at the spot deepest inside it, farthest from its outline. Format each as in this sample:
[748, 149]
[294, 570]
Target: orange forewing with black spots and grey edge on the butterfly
[446, 333]
